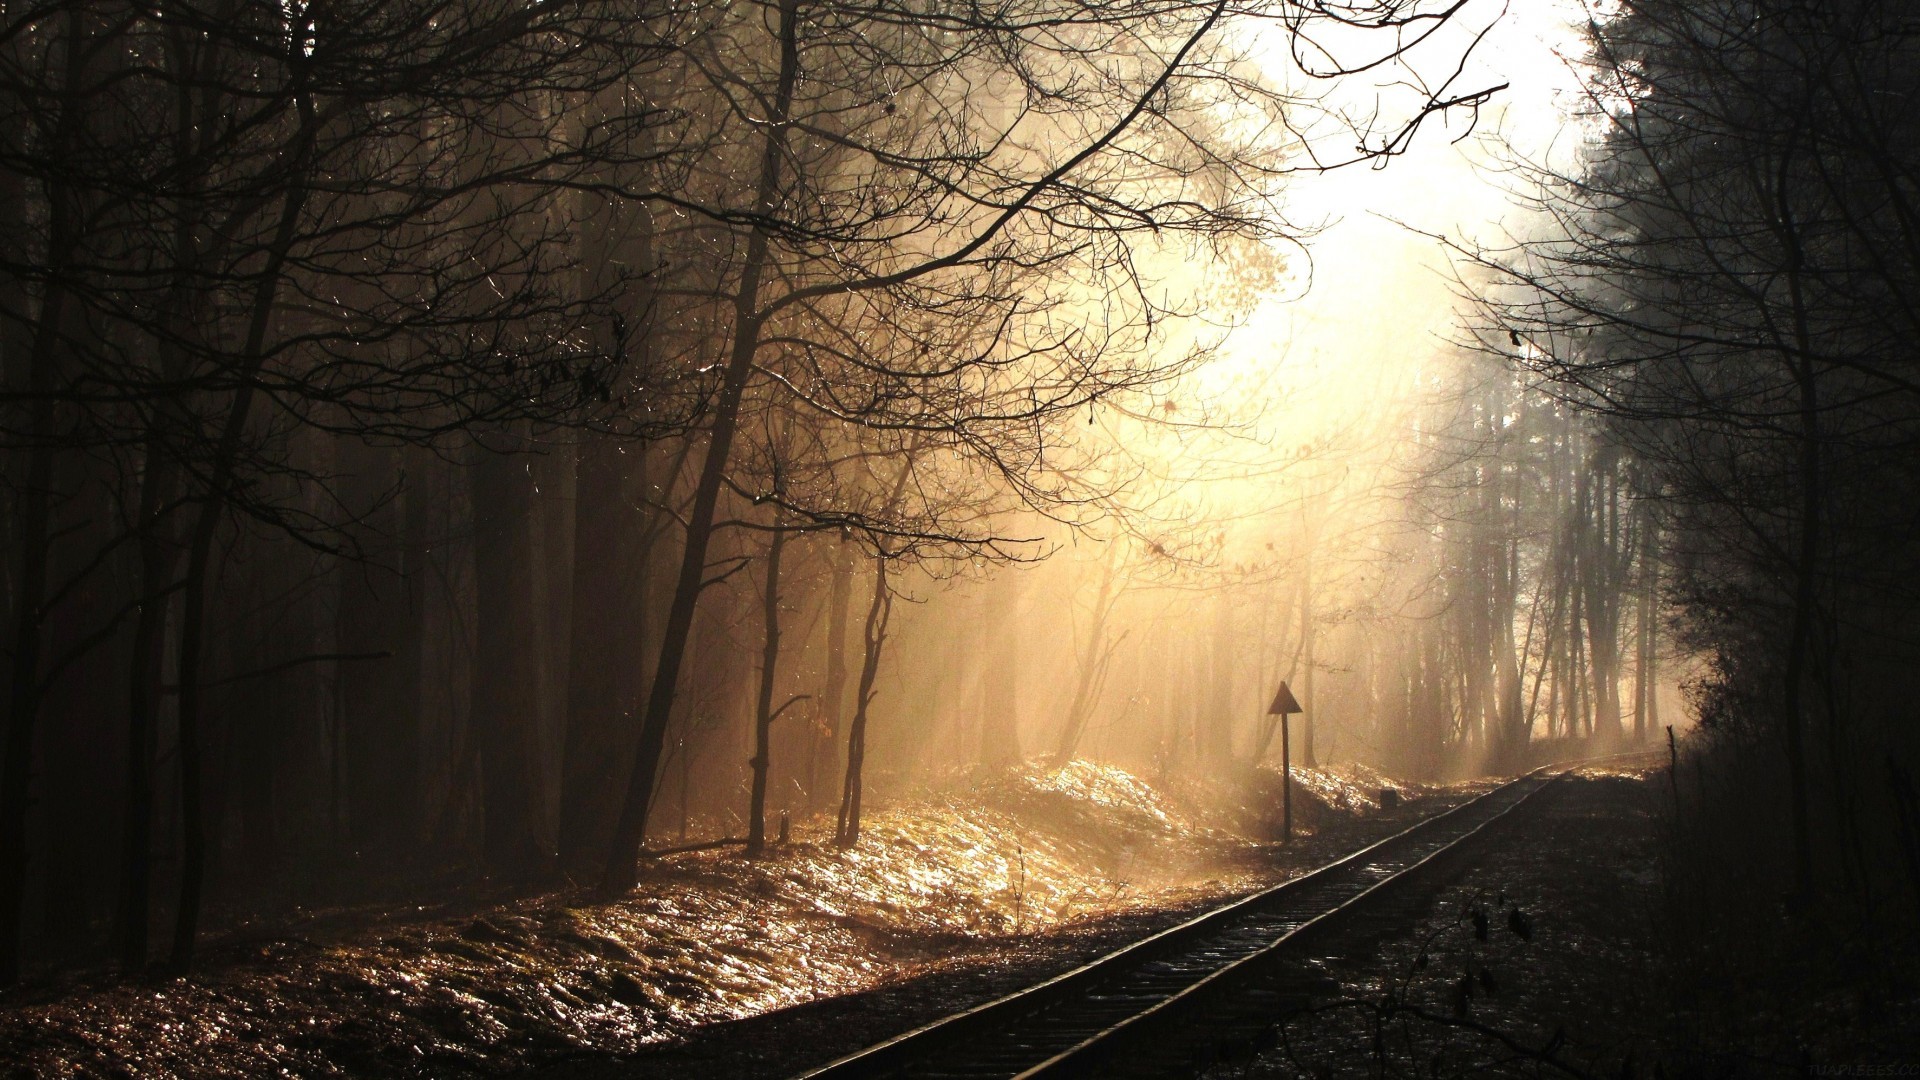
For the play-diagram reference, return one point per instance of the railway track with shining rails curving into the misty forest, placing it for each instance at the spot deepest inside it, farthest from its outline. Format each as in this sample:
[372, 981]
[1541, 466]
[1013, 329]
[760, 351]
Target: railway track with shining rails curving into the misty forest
[1189, 993]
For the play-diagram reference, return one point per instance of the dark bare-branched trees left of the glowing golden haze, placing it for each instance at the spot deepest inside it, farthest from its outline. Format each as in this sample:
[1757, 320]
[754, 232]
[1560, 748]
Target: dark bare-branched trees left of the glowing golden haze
[408, 405]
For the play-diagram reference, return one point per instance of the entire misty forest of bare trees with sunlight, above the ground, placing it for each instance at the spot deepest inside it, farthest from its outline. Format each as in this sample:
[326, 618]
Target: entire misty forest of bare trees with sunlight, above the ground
[469, 451]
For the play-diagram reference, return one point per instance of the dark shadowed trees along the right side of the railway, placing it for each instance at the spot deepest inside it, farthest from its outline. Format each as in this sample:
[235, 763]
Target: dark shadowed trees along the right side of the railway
[1727, 285]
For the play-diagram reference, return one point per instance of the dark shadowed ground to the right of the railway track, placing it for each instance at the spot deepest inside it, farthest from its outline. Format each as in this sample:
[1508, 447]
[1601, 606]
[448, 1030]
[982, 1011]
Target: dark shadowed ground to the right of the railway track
[1558, 956]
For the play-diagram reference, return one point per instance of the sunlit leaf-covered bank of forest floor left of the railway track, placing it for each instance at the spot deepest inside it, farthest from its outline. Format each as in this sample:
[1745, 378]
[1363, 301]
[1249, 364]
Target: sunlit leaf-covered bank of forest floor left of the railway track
[721, 966]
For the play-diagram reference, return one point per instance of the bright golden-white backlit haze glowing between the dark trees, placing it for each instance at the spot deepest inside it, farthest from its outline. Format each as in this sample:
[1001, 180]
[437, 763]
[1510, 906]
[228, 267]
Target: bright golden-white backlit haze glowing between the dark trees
[1280, 479]
